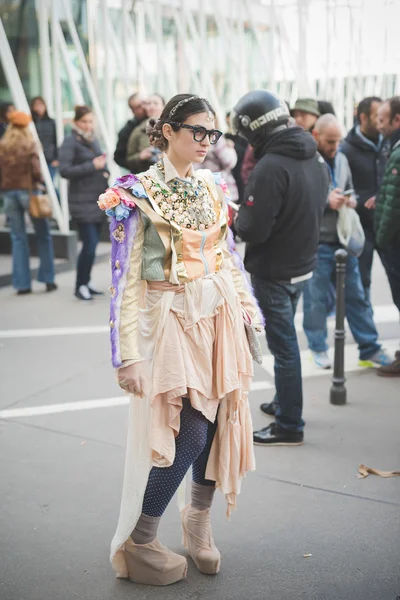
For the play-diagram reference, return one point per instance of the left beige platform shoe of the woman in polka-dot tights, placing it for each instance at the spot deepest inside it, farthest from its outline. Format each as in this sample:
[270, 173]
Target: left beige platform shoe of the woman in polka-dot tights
[154, 563]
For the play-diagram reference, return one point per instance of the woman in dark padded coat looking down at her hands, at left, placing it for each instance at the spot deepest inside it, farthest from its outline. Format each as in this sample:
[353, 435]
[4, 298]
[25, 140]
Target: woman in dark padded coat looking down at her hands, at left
[83, 163]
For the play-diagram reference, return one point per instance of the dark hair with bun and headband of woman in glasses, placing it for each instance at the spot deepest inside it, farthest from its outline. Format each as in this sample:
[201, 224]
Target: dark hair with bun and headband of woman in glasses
[193, 106]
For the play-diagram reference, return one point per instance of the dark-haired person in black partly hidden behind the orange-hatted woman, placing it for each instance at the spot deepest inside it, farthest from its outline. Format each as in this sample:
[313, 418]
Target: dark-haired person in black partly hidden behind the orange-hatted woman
[46, 130]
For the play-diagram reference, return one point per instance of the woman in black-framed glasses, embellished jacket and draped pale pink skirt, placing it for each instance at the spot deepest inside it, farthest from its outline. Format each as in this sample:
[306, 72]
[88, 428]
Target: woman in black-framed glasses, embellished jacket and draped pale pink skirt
[180, 301]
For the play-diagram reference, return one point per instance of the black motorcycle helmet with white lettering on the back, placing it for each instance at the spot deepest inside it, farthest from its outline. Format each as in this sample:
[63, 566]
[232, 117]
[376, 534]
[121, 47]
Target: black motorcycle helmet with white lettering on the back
[258, 115]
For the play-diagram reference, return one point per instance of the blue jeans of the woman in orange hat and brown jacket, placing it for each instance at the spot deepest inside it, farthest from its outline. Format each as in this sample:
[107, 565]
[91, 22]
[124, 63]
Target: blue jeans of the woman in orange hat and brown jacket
[16, 203]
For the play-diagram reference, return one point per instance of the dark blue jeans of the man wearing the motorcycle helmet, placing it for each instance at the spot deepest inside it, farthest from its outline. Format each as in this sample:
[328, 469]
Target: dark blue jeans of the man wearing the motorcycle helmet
[278, 301]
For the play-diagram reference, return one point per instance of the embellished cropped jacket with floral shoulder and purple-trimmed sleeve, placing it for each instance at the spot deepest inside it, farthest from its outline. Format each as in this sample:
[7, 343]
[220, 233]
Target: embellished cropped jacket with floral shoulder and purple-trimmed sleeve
[164, 229]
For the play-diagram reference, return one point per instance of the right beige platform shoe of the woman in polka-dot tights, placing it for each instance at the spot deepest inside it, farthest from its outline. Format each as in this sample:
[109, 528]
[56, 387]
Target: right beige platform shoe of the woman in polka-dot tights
[197, 539]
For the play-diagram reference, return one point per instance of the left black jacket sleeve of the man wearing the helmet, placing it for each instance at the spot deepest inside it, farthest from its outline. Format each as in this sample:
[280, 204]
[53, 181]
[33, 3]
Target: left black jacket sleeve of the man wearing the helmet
[262, 203]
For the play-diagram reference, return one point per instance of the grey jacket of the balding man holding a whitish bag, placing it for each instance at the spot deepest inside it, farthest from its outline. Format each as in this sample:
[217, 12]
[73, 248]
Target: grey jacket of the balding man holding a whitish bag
[339, 177]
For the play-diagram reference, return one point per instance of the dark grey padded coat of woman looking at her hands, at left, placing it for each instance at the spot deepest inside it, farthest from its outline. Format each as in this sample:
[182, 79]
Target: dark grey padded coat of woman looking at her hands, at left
[85, 183]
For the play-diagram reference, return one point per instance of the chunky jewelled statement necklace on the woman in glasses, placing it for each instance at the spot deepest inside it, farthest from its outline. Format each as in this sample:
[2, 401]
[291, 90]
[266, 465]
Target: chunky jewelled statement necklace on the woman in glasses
[185, 202]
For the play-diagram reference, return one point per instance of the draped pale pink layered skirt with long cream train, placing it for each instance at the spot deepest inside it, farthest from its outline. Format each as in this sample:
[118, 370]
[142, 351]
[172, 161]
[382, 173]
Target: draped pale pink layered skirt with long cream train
[193, 344]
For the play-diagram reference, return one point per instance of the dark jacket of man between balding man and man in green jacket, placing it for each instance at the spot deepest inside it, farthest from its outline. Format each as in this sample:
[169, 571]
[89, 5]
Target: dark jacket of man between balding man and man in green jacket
[367, 164]
